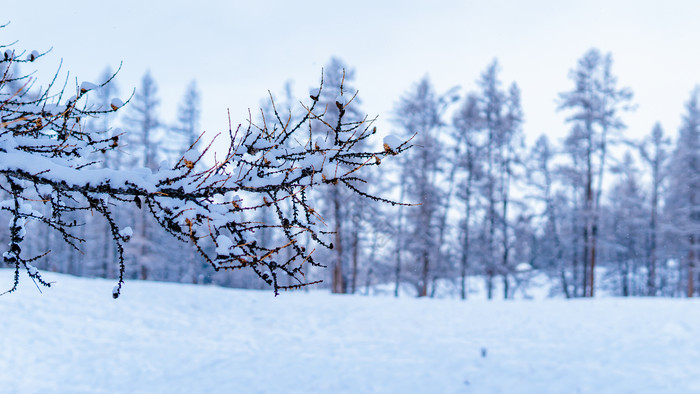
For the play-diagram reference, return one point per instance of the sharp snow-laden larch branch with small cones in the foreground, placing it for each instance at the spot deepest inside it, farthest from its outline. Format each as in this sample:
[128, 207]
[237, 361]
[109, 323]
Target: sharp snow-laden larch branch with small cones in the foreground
[49, 162]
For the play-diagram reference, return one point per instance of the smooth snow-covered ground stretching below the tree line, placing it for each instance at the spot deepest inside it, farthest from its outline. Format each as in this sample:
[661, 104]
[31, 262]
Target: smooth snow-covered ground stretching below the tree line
[169, 338]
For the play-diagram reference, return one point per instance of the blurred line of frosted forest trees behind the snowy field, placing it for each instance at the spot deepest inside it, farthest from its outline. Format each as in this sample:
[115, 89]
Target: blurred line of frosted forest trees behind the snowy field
[595, 211]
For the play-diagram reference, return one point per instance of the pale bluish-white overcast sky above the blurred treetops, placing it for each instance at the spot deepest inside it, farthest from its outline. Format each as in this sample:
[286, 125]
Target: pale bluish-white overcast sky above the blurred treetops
[237, 50]
